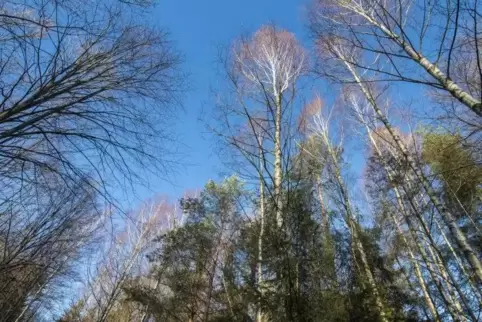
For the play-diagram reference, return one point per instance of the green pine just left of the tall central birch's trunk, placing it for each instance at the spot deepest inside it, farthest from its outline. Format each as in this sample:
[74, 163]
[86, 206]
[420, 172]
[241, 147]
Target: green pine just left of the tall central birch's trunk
[187, 263]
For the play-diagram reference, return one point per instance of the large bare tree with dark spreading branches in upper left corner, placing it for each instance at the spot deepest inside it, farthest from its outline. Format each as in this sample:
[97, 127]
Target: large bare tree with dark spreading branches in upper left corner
[83, 91]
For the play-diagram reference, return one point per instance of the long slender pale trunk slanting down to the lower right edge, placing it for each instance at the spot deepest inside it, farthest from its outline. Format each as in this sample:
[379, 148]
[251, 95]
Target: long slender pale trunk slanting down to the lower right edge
[446, 215]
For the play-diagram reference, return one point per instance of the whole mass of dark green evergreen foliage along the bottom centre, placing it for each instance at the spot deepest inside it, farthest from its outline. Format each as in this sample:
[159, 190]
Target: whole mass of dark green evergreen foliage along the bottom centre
[215, 277]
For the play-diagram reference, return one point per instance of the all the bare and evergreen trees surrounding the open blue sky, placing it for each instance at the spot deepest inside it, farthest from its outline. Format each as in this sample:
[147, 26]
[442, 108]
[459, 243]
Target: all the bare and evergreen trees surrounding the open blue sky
[360, 206]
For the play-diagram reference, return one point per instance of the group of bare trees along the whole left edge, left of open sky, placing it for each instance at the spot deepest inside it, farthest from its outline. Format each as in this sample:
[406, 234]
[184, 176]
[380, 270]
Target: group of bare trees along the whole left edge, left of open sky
[84, 87]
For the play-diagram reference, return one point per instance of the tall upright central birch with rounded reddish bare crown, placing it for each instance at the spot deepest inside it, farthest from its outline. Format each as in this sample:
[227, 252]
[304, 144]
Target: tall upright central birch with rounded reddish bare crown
[269, 65]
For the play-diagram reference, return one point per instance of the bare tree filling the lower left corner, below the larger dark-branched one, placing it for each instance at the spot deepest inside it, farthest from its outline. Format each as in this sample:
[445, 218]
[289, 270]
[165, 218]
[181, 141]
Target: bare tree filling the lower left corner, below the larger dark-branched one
[41, 240]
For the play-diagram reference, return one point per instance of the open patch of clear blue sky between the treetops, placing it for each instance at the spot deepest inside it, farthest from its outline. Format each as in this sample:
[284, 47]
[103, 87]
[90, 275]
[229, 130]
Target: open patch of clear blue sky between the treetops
[198, 28]
